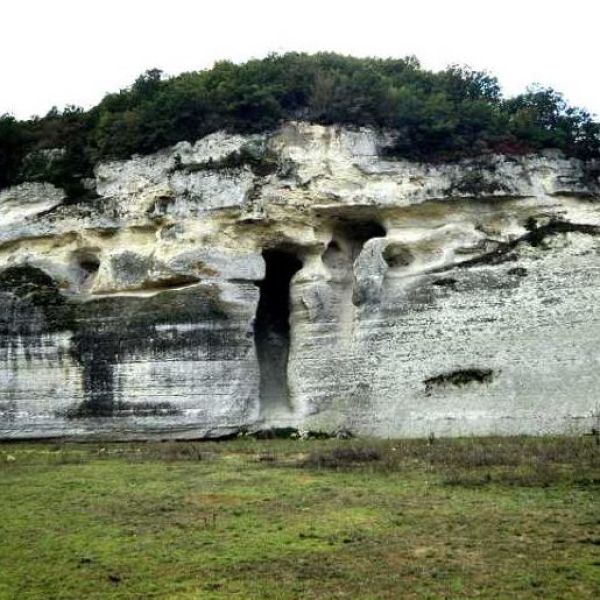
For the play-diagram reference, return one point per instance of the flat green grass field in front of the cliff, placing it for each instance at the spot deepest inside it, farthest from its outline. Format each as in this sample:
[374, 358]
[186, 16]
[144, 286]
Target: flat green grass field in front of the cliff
[489, 518]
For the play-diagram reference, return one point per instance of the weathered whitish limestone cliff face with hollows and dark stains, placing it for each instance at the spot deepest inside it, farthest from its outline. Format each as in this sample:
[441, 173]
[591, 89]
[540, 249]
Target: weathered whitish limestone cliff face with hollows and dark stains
[302, 278]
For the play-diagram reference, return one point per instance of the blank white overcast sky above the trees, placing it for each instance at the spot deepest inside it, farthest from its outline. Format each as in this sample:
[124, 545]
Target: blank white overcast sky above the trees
[58, 52]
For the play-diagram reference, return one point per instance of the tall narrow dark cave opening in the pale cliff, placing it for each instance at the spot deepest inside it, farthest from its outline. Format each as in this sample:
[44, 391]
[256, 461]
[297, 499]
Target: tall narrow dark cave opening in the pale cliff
[272, 330]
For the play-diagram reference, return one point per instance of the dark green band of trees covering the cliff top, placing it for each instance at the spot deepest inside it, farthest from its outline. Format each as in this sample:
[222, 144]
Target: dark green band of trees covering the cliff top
[446, 115]
